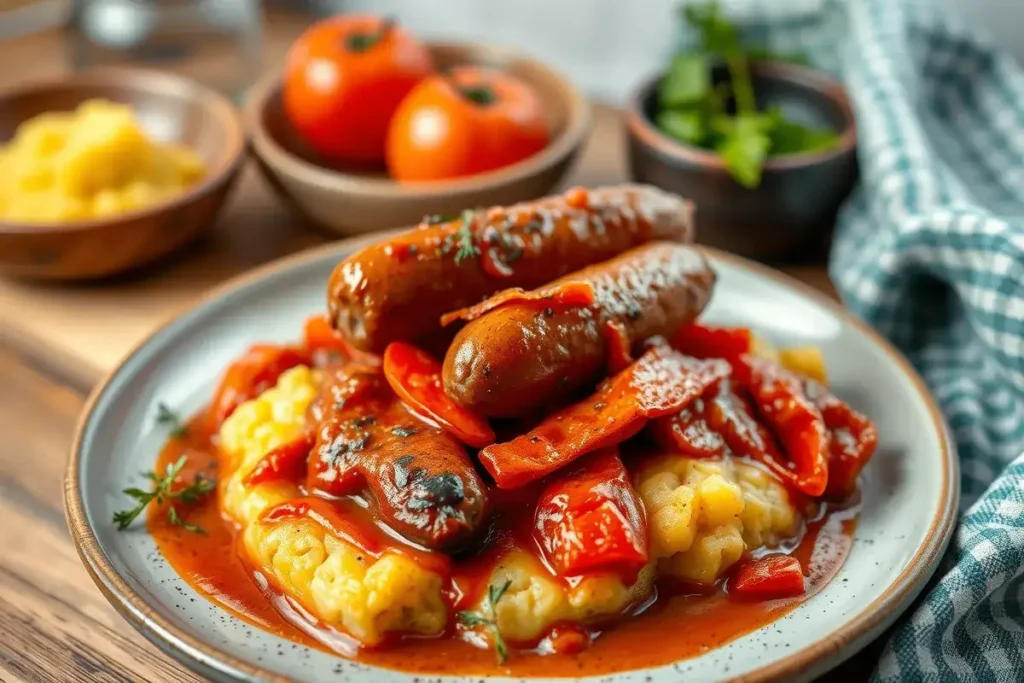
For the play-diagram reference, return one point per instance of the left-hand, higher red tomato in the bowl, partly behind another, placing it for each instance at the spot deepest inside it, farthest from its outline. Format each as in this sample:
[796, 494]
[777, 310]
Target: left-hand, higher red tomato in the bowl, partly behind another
[345, 78]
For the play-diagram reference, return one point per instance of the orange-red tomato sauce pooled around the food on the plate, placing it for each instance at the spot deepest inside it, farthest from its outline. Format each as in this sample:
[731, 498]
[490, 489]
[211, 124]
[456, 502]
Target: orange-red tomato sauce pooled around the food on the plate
[679, 623]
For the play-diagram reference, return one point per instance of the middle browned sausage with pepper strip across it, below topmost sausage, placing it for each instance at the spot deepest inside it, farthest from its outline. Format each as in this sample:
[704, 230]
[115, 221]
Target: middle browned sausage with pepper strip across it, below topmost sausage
[519, 357]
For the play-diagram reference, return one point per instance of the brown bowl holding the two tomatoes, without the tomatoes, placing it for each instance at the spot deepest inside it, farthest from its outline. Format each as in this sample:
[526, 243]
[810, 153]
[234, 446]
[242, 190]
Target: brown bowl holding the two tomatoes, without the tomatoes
[350, 202]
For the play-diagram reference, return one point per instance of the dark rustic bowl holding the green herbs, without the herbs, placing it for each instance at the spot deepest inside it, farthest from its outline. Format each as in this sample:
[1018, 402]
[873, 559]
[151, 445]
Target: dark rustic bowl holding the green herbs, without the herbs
[795, 205]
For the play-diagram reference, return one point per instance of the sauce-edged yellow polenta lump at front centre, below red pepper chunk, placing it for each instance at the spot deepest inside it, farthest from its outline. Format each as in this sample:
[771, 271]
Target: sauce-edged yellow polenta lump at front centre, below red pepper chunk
[535, 602]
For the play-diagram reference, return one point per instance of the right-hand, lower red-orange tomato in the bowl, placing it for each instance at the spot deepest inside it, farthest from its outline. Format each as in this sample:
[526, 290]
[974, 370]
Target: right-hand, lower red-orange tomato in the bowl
[465, 122]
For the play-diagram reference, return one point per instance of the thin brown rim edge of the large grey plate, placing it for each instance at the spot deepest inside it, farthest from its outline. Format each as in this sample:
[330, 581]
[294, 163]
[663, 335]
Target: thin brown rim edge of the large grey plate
[842, 643]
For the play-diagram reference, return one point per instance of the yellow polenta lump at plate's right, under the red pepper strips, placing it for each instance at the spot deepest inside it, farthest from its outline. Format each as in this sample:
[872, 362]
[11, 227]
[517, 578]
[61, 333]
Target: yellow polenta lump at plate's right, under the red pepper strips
[705, 514]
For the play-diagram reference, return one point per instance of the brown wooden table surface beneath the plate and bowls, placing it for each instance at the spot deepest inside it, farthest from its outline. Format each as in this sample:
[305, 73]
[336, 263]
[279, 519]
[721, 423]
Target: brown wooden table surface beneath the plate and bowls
[56, 343]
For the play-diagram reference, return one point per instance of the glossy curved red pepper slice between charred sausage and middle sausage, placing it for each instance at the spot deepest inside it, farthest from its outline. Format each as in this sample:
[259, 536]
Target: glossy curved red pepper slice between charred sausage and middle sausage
[416, 377]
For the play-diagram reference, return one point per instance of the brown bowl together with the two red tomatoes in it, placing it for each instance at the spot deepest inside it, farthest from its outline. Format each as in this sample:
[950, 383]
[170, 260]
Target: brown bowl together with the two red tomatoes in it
[367, 129]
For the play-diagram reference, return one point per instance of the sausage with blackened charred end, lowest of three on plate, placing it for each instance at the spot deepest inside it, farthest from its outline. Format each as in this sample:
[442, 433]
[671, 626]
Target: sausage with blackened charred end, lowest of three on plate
[420, 479]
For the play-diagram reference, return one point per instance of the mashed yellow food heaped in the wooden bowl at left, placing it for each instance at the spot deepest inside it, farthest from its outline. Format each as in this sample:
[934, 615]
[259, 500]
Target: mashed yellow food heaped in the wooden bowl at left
[95, 162]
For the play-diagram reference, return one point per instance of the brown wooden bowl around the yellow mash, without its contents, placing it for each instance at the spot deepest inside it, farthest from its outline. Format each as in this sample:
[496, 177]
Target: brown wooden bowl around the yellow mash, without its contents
[172, 109]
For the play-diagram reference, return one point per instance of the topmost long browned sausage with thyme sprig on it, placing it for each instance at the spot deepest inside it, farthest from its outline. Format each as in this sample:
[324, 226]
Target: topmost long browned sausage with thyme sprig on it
[399, 289]
